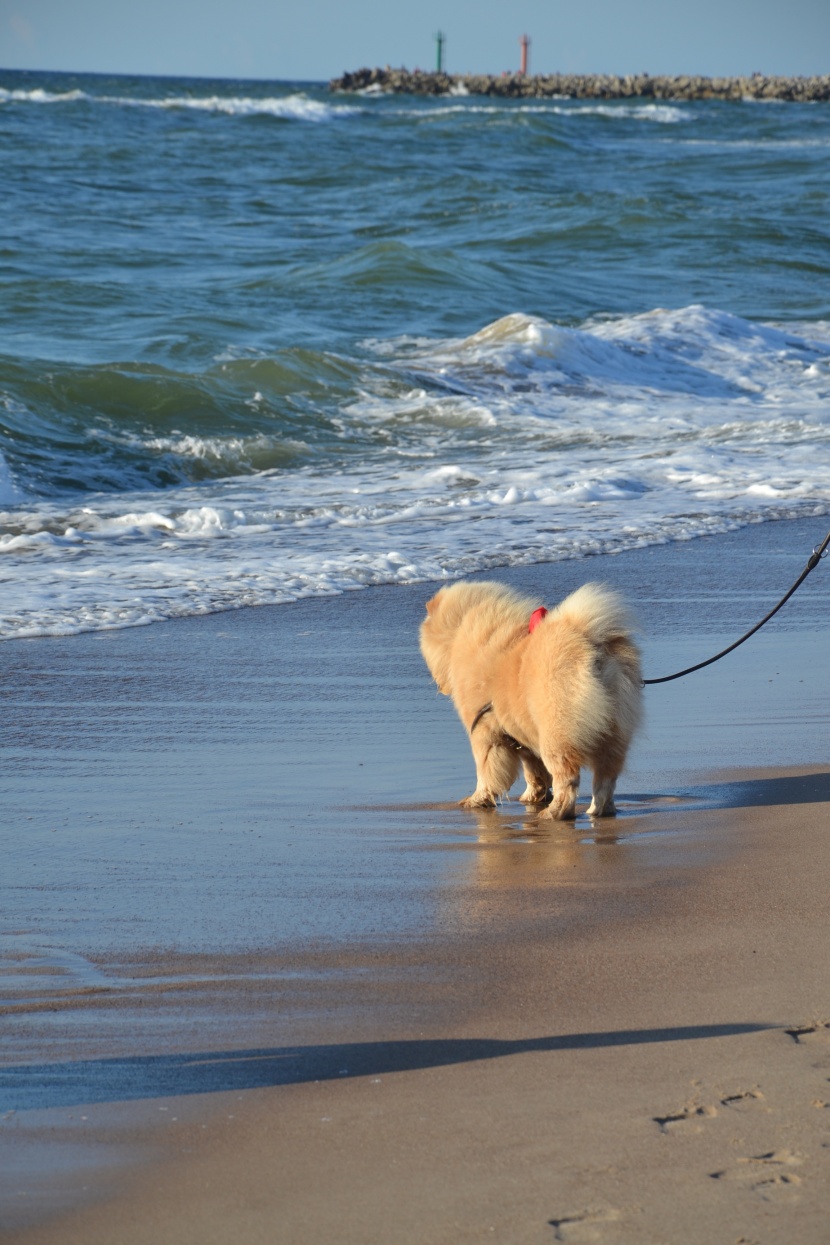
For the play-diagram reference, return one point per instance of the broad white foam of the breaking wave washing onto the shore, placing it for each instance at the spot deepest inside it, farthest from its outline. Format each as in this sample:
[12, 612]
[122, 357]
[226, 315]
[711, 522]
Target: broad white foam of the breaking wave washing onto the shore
[526, 441]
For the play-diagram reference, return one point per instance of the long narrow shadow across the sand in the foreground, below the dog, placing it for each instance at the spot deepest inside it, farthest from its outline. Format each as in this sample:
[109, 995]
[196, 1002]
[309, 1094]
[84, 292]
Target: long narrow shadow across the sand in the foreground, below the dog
[39, 1086]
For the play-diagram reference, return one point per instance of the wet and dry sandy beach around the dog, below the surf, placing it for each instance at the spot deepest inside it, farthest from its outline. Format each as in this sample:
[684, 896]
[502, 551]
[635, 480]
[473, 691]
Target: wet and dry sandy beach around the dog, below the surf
[267, 983]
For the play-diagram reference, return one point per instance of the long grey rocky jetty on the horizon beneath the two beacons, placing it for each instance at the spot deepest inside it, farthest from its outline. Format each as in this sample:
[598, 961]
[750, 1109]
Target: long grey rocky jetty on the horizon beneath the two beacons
[585, 87]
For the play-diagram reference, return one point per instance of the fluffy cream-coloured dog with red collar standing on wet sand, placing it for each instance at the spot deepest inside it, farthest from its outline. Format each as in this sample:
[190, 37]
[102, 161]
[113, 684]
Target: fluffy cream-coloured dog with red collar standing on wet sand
[552, 692]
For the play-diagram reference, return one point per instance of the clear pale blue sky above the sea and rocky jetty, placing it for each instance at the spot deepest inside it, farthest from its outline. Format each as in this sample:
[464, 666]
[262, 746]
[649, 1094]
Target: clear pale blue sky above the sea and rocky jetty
[319, 39]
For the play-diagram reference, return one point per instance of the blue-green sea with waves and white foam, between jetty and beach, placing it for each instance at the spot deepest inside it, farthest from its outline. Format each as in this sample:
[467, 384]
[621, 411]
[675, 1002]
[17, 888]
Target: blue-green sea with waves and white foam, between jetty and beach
[261, 342]
